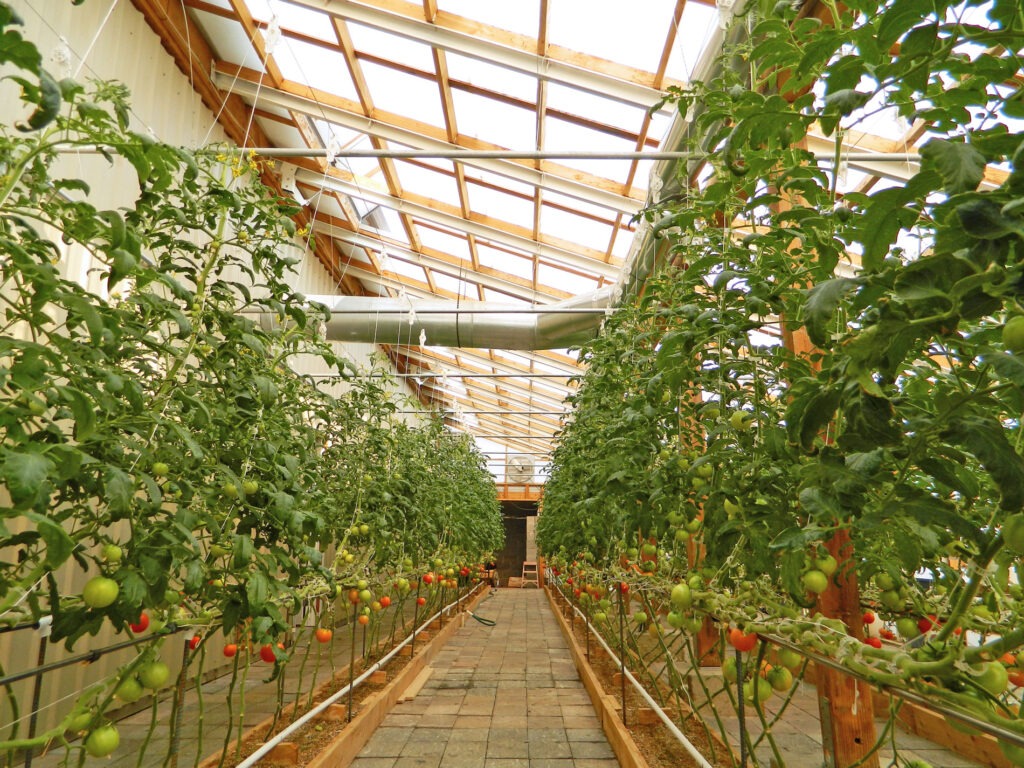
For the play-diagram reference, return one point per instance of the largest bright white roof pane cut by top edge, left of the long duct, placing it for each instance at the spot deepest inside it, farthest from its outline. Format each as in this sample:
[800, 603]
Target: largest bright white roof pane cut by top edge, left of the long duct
[604, 28]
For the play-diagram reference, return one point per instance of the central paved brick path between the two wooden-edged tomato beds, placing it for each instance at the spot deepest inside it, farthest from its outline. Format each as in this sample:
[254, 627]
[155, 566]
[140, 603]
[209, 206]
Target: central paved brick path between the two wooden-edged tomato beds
[503, 697]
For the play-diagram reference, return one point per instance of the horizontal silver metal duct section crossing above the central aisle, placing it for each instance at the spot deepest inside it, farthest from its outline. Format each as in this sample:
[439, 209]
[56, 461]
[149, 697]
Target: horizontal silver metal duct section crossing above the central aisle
[467, 324]
